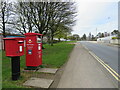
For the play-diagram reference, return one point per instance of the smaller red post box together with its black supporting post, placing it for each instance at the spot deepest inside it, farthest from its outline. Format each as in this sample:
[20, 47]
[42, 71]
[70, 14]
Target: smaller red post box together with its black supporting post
[14, 48]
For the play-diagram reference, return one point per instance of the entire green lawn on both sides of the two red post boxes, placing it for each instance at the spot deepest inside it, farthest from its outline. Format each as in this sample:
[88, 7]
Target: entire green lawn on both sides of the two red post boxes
[53, 56]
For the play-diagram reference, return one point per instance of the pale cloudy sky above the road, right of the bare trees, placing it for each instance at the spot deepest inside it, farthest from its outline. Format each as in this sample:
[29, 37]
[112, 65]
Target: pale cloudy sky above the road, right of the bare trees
[96, 16]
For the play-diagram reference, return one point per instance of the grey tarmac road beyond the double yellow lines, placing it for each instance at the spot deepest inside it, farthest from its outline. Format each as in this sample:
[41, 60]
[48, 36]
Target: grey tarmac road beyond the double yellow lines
[108, 54]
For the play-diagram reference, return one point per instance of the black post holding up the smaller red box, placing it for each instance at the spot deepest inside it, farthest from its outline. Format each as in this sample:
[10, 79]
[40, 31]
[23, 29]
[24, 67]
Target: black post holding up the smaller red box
[15, 63]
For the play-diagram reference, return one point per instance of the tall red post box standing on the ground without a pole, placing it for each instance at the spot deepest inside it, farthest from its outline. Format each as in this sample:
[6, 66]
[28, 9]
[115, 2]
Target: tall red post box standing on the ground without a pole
[33, 49]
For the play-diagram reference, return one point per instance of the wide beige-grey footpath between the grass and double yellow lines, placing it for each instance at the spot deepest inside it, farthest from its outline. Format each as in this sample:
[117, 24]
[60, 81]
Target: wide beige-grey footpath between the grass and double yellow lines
[83, 71]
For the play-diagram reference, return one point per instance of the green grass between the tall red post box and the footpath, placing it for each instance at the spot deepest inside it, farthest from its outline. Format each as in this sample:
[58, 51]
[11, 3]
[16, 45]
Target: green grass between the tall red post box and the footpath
[56, 55]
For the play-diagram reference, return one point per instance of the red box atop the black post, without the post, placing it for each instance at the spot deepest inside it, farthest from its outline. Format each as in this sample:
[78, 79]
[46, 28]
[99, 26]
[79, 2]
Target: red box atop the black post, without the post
[14, 46]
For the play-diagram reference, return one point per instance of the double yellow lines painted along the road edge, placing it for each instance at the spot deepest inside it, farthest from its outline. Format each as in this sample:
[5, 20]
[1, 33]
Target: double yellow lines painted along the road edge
[111, 71]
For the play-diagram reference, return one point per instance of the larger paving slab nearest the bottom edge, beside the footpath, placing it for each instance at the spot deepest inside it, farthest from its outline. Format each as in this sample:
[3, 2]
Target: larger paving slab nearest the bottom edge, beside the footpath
[38, 82]
